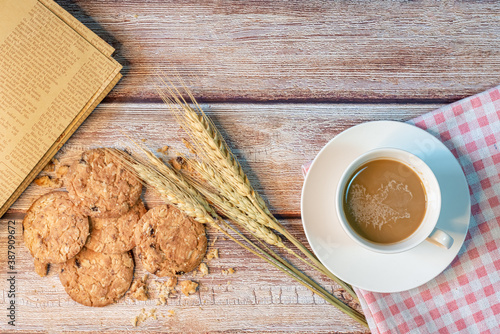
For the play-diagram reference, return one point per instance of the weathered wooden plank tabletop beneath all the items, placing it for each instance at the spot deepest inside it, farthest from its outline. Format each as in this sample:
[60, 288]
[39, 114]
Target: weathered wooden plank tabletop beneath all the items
[280, 79]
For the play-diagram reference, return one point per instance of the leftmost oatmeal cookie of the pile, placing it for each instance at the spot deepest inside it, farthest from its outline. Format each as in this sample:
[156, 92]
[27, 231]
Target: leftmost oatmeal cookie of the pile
[54, 228]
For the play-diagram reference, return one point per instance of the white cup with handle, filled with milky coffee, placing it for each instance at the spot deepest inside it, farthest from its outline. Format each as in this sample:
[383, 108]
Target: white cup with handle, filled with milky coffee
[388, 200]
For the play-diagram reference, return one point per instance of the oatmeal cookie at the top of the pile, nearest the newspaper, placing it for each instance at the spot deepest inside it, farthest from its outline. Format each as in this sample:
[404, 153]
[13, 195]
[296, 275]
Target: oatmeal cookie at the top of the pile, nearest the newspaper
[101, 186]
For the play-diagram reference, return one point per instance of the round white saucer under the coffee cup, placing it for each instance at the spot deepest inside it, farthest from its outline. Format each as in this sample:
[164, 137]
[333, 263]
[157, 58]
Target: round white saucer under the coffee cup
[339, 253]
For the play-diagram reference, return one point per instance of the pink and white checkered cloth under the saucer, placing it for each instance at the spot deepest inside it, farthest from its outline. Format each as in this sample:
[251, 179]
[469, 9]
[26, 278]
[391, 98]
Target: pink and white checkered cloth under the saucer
[465, 298]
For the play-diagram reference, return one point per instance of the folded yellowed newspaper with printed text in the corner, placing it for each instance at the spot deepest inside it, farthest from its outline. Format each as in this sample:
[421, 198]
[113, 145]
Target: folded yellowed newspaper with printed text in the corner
[51, 77]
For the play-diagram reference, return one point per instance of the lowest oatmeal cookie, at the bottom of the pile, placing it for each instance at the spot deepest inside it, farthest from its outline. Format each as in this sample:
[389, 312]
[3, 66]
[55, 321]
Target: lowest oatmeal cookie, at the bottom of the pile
[96, 279]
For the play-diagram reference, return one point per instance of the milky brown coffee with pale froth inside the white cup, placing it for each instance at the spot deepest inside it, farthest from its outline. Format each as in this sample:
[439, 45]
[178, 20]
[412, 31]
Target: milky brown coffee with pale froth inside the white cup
[384, 201]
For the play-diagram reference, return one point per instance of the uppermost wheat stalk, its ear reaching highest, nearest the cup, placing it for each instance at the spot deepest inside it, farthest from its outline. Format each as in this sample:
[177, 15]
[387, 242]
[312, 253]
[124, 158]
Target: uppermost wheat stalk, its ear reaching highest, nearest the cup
[211, 147]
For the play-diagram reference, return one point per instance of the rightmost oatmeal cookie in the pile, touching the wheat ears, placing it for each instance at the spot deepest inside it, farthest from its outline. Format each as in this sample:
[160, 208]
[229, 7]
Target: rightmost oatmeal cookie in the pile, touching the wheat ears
[168, 242]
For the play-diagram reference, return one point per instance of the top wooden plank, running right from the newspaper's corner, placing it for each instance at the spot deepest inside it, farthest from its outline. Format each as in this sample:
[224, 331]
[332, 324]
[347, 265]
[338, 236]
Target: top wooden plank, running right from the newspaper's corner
[302, 51]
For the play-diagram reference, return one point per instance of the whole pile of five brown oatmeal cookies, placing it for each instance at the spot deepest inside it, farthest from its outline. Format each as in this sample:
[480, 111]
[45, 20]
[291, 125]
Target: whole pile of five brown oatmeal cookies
[91, 229]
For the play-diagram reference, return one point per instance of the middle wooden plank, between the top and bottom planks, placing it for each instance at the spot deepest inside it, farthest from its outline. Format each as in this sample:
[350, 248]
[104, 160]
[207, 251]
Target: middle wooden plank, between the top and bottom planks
[271, 140]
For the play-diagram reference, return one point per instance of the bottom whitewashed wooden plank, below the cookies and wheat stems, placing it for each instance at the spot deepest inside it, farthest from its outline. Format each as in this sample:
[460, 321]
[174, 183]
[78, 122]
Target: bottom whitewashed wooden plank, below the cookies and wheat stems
[256, 297]
